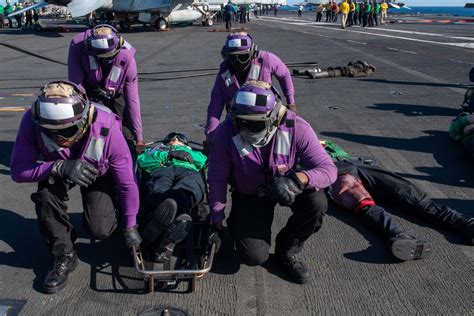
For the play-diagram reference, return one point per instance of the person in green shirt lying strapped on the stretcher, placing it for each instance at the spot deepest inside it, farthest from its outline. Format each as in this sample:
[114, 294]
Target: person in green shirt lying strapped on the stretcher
[172, 186]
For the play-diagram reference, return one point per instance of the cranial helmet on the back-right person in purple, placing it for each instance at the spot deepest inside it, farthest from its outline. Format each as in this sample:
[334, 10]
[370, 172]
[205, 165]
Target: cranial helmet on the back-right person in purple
[239, 49]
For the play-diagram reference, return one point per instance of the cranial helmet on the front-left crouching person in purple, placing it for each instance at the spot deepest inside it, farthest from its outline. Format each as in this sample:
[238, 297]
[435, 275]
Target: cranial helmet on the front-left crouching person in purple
[62, 112]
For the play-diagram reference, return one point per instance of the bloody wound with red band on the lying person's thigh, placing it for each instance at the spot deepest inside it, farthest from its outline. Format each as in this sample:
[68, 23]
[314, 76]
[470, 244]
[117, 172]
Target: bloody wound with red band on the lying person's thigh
[349, 193]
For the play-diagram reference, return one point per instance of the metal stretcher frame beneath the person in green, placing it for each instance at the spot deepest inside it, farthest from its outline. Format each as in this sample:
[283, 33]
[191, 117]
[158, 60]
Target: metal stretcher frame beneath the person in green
[192, 275]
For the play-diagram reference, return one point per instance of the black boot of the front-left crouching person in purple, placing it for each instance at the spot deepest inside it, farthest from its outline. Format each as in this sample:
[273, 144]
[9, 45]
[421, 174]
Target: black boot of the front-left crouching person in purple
[57, 277]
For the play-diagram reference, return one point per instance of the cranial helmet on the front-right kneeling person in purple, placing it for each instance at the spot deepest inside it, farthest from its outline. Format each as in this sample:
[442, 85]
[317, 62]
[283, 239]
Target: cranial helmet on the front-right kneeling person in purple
[257, 111]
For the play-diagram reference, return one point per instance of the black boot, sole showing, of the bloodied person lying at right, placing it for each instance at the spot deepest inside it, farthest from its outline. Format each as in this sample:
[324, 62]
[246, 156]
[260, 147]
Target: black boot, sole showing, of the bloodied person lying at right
[405, 247]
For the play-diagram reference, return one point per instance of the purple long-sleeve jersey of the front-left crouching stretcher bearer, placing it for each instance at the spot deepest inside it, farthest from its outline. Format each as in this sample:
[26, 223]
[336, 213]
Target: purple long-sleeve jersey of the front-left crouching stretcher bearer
[25, 166]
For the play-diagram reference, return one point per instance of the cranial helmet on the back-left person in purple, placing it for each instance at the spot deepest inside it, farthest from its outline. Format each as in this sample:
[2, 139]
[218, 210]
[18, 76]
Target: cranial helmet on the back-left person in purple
[104, 41]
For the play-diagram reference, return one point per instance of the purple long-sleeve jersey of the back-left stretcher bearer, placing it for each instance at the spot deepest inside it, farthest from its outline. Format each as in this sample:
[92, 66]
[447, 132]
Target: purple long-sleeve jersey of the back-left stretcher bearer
[128, 83]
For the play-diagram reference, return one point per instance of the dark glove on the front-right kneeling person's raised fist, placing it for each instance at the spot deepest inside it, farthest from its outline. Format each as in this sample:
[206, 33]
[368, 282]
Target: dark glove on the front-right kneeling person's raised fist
[284, 190]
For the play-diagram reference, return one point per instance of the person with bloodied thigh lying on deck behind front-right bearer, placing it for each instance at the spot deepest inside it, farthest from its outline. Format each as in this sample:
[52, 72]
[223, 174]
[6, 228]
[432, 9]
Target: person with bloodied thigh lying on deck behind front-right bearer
[361, 185]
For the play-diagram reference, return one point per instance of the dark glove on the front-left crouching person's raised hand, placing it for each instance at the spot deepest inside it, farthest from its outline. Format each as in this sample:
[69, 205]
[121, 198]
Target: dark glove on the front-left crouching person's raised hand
[76, 171]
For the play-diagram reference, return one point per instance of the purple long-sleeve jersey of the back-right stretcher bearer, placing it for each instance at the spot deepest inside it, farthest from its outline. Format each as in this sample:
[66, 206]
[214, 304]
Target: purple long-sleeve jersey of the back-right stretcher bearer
[225, 88]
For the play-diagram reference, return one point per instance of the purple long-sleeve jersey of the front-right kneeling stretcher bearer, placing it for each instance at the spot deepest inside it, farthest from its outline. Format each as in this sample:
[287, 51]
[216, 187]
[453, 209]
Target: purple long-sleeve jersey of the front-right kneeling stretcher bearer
[247, 172]
